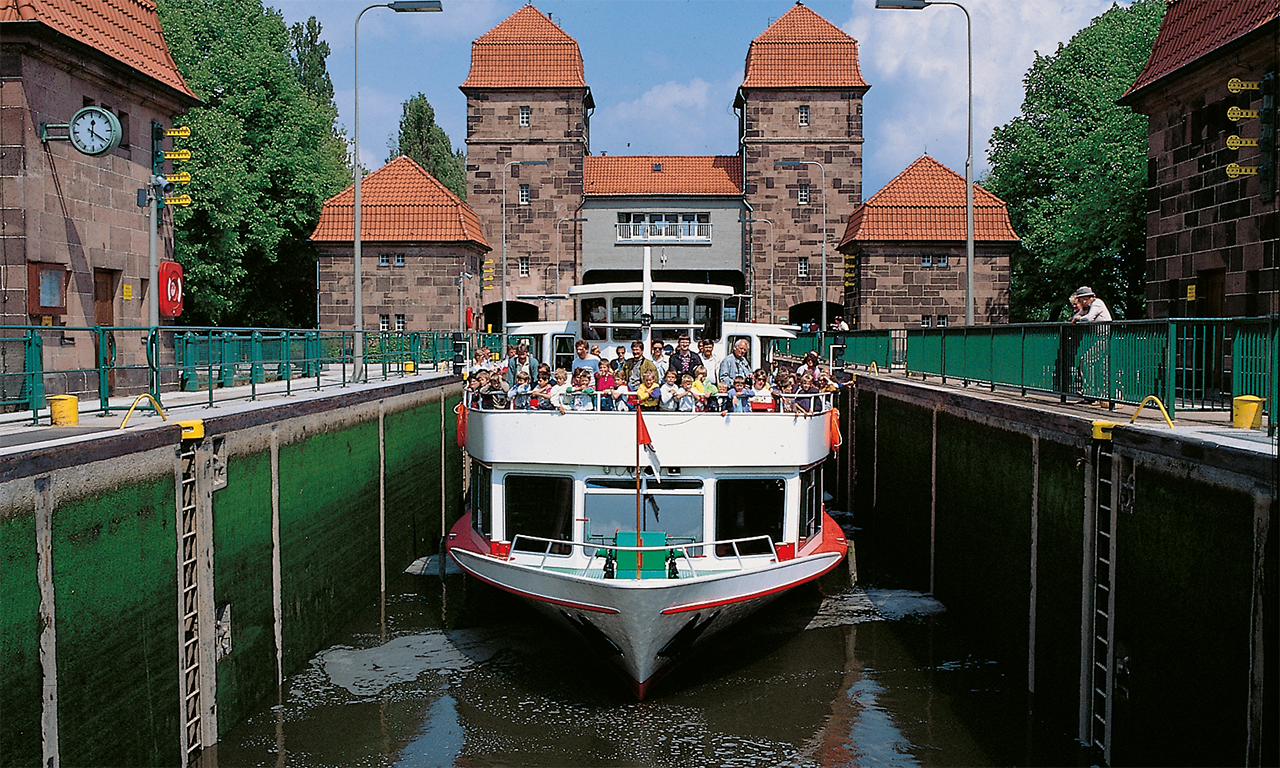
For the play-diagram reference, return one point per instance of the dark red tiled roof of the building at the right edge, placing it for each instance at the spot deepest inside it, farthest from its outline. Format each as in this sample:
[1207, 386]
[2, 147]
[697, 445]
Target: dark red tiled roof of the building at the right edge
[1194, 29]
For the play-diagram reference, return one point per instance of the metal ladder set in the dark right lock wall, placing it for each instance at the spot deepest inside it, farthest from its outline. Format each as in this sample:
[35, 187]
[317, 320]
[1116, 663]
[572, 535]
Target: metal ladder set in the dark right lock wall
[1103, 669]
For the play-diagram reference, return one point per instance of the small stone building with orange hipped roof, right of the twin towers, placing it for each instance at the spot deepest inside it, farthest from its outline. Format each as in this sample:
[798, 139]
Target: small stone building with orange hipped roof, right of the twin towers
[906, 253]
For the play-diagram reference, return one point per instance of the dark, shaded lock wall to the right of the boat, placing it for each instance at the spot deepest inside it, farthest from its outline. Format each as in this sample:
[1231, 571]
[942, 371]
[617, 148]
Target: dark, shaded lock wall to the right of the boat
[990, 508]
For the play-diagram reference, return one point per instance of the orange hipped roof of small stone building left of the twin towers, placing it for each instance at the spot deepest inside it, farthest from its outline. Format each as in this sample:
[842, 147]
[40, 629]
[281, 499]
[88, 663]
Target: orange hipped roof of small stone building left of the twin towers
[400, 203]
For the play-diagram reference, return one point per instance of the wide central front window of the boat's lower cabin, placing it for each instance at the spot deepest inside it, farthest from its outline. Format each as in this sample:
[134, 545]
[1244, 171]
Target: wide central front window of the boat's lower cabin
[671, 506]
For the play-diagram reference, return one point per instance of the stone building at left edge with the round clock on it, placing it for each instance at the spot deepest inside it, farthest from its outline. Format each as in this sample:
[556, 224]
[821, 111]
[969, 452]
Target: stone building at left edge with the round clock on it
[74, 245]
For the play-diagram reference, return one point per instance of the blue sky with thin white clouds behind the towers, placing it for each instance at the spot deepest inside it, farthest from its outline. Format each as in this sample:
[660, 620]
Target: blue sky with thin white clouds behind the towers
[664, 72]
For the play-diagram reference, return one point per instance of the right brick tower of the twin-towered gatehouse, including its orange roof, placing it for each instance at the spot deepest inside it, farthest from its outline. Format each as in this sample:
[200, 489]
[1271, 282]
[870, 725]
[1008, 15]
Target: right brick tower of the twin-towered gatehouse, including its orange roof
[801, 99]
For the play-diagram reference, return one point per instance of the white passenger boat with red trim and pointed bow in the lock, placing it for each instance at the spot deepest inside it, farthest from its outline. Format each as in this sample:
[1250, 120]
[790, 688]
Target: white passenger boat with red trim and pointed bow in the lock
[646, 533]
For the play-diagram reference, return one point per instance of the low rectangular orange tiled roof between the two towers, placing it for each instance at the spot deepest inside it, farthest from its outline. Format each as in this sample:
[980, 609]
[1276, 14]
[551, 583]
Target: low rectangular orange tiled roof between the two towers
[664, 175]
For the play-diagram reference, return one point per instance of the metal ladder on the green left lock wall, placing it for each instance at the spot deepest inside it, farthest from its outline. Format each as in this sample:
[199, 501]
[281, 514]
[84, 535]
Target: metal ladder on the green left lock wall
[189, 589]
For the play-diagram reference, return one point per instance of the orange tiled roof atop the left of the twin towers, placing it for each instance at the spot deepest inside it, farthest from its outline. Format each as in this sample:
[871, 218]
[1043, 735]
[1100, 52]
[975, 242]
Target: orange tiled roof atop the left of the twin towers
[527, 51]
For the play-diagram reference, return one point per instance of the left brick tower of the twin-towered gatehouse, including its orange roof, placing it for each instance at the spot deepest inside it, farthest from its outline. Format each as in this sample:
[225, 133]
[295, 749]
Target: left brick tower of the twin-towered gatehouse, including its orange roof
[527, 102]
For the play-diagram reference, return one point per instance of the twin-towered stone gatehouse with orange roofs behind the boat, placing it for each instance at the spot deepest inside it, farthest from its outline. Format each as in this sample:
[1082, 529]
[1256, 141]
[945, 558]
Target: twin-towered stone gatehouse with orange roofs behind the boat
[577, 218]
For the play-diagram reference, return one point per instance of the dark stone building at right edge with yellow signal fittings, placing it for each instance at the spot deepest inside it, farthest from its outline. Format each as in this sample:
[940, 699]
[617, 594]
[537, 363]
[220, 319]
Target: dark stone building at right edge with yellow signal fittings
[1212, 236]
